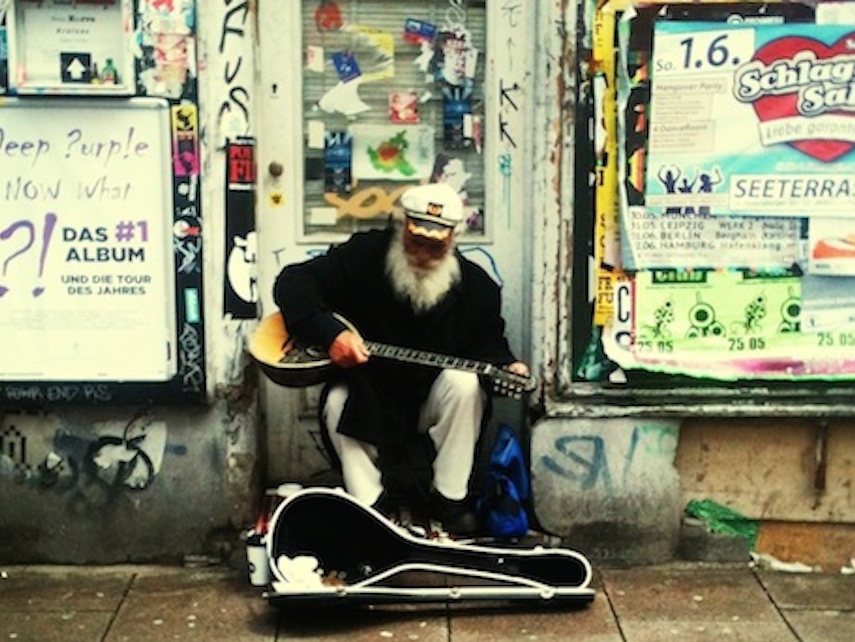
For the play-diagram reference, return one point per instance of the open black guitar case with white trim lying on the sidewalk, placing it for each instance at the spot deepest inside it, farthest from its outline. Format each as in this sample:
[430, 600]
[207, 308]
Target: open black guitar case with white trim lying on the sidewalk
[325, 546]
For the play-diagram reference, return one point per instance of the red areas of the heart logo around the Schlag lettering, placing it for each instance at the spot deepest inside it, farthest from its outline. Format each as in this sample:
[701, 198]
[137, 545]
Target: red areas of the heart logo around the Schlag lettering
[771, 108]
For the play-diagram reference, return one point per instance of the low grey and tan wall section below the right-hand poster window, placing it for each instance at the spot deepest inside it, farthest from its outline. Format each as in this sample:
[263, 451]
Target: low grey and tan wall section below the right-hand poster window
[616, 488]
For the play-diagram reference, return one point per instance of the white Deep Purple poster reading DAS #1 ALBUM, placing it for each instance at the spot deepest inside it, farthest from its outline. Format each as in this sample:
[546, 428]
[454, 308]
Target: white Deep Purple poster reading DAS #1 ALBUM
[86, 263]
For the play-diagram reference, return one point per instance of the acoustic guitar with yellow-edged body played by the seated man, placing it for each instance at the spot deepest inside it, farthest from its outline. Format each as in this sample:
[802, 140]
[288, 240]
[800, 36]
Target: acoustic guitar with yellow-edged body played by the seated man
[291, 365]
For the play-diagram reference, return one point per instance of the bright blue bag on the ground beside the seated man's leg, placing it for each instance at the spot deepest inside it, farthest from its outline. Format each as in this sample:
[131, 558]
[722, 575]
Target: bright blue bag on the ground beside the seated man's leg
[506, 487]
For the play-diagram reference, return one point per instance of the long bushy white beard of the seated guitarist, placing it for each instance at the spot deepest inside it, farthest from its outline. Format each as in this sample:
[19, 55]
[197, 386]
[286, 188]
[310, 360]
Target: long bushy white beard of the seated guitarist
[422, 287]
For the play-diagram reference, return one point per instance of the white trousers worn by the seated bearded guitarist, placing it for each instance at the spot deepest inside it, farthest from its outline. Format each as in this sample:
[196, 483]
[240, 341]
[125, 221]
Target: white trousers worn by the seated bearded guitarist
[451, 416]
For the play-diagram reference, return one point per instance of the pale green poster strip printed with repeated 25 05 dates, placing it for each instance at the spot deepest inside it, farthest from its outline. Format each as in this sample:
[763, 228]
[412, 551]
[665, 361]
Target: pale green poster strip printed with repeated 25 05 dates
[730, 325]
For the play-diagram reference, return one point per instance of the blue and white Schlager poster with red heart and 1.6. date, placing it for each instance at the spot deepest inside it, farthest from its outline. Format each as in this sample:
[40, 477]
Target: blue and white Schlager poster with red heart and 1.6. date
[753, 119]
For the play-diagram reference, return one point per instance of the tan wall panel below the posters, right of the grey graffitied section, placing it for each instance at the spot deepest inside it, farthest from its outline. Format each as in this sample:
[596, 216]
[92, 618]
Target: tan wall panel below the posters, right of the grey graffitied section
[794, 475]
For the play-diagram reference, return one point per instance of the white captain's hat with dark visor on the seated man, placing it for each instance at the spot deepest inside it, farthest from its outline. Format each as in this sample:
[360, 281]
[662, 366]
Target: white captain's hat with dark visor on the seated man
[432, 210]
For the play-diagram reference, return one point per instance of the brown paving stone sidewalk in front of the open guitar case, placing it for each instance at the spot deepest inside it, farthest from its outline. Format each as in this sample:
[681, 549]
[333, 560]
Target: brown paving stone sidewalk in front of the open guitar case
[685, 602]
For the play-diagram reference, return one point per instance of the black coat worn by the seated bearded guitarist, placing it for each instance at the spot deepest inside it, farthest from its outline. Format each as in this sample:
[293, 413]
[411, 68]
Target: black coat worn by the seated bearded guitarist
[350, 280]
